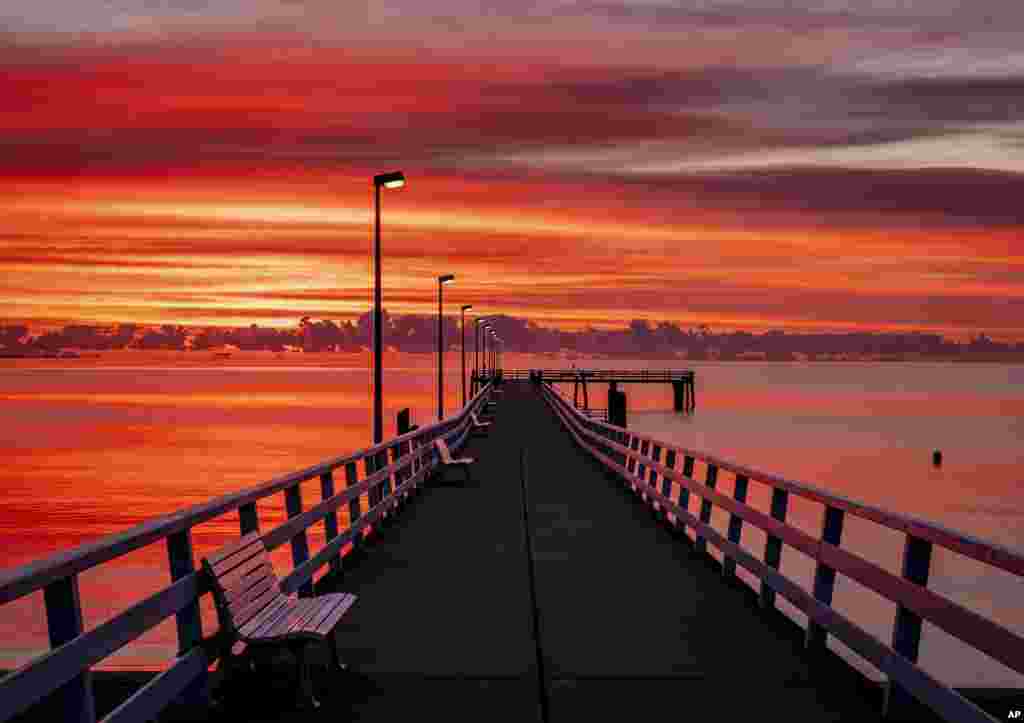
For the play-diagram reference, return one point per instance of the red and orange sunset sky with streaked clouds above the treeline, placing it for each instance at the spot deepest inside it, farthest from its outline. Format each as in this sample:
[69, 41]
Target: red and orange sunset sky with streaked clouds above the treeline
[746, 164]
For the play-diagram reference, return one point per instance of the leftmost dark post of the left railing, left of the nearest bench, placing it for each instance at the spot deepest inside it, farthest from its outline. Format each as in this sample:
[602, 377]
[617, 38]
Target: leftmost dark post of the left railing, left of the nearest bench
[64, 621]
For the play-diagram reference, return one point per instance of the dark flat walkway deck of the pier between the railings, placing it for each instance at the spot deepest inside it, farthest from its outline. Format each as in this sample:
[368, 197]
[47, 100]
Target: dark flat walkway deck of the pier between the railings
[631, 623]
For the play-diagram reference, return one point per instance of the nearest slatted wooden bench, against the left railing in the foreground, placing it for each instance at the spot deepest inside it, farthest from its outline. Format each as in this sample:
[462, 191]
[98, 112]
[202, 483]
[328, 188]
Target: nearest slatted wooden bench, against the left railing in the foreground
[252, 611]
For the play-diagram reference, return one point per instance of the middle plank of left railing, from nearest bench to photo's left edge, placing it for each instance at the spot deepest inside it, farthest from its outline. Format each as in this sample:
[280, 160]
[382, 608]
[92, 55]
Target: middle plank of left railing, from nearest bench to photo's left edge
[32, 683]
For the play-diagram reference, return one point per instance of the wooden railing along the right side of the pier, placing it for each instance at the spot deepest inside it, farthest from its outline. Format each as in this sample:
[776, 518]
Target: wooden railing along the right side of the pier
[638, 460]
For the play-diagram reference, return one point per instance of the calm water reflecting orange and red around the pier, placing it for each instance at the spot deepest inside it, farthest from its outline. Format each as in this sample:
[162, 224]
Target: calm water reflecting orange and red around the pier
[96, 447]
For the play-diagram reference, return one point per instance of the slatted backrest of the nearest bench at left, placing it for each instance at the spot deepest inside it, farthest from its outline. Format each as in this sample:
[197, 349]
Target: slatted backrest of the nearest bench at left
[244, 582]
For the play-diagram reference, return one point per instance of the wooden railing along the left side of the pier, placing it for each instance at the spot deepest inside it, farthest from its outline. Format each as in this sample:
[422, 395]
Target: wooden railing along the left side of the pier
[392, 470]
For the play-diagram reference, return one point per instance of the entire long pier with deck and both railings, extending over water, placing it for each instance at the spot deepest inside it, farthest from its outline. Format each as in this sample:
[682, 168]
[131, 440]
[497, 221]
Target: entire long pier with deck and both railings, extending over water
[557, 584]
